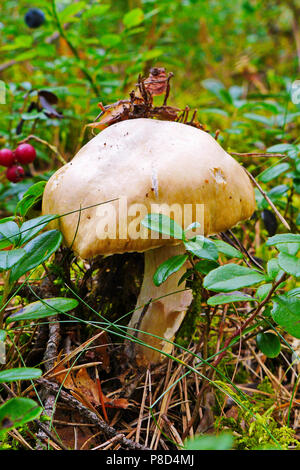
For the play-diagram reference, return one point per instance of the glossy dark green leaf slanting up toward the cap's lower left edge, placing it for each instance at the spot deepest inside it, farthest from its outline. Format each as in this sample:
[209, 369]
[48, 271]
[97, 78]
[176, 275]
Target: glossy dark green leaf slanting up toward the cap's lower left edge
[37, 250]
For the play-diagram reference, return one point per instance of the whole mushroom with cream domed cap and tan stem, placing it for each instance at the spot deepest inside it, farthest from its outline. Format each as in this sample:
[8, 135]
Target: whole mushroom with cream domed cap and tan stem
[117, 178]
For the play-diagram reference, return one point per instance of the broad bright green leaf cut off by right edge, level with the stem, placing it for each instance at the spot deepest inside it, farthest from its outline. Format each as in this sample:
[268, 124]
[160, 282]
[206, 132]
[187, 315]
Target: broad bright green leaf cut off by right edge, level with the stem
[286, 312]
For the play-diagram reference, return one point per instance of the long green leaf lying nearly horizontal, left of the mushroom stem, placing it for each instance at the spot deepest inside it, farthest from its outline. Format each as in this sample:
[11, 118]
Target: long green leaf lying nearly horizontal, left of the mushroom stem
[42, 309]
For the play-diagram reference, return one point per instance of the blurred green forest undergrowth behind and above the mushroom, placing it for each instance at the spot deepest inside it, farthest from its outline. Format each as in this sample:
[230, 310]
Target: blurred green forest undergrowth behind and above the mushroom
[233, 61]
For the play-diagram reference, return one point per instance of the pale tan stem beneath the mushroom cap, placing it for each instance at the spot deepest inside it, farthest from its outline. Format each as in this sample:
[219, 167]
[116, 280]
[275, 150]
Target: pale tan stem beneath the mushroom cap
[163, 317]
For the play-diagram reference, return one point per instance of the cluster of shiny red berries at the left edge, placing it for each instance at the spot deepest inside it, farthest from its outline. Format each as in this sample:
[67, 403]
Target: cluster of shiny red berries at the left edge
[14, 159]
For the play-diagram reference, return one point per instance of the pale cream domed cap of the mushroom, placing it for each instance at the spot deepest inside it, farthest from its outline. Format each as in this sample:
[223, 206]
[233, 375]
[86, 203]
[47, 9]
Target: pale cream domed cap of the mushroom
[148, 162]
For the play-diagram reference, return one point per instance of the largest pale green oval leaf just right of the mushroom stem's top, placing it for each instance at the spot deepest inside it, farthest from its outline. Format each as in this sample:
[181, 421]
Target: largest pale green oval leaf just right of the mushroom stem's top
[231, 277]
